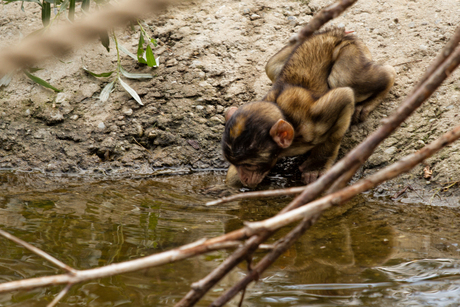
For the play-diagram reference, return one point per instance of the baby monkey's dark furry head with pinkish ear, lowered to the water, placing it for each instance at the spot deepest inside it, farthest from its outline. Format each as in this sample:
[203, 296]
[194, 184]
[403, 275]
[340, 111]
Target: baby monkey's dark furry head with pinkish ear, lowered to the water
[255, 135]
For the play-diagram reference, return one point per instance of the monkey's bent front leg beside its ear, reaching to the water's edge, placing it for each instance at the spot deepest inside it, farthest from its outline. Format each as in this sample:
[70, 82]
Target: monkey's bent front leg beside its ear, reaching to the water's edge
[333, 111]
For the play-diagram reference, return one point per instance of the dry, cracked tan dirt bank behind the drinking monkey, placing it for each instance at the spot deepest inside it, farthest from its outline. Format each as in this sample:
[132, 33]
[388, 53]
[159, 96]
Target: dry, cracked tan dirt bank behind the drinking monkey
[212, 56]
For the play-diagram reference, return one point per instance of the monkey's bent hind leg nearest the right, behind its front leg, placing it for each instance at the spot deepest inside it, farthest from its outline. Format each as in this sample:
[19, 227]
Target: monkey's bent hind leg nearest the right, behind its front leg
[370, 82]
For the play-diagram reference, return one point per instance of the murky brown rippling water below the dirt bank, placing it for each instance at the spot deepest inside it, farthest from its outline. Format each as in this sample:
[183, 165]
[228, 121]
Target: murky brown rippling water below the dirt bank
[371, 252]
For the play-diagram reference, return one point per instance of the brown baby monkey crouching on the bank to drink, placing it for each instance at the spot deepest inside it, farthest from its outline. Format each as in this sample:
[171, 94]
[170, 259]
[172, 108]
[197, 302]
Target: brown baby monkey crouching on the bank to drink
[319, 87]
